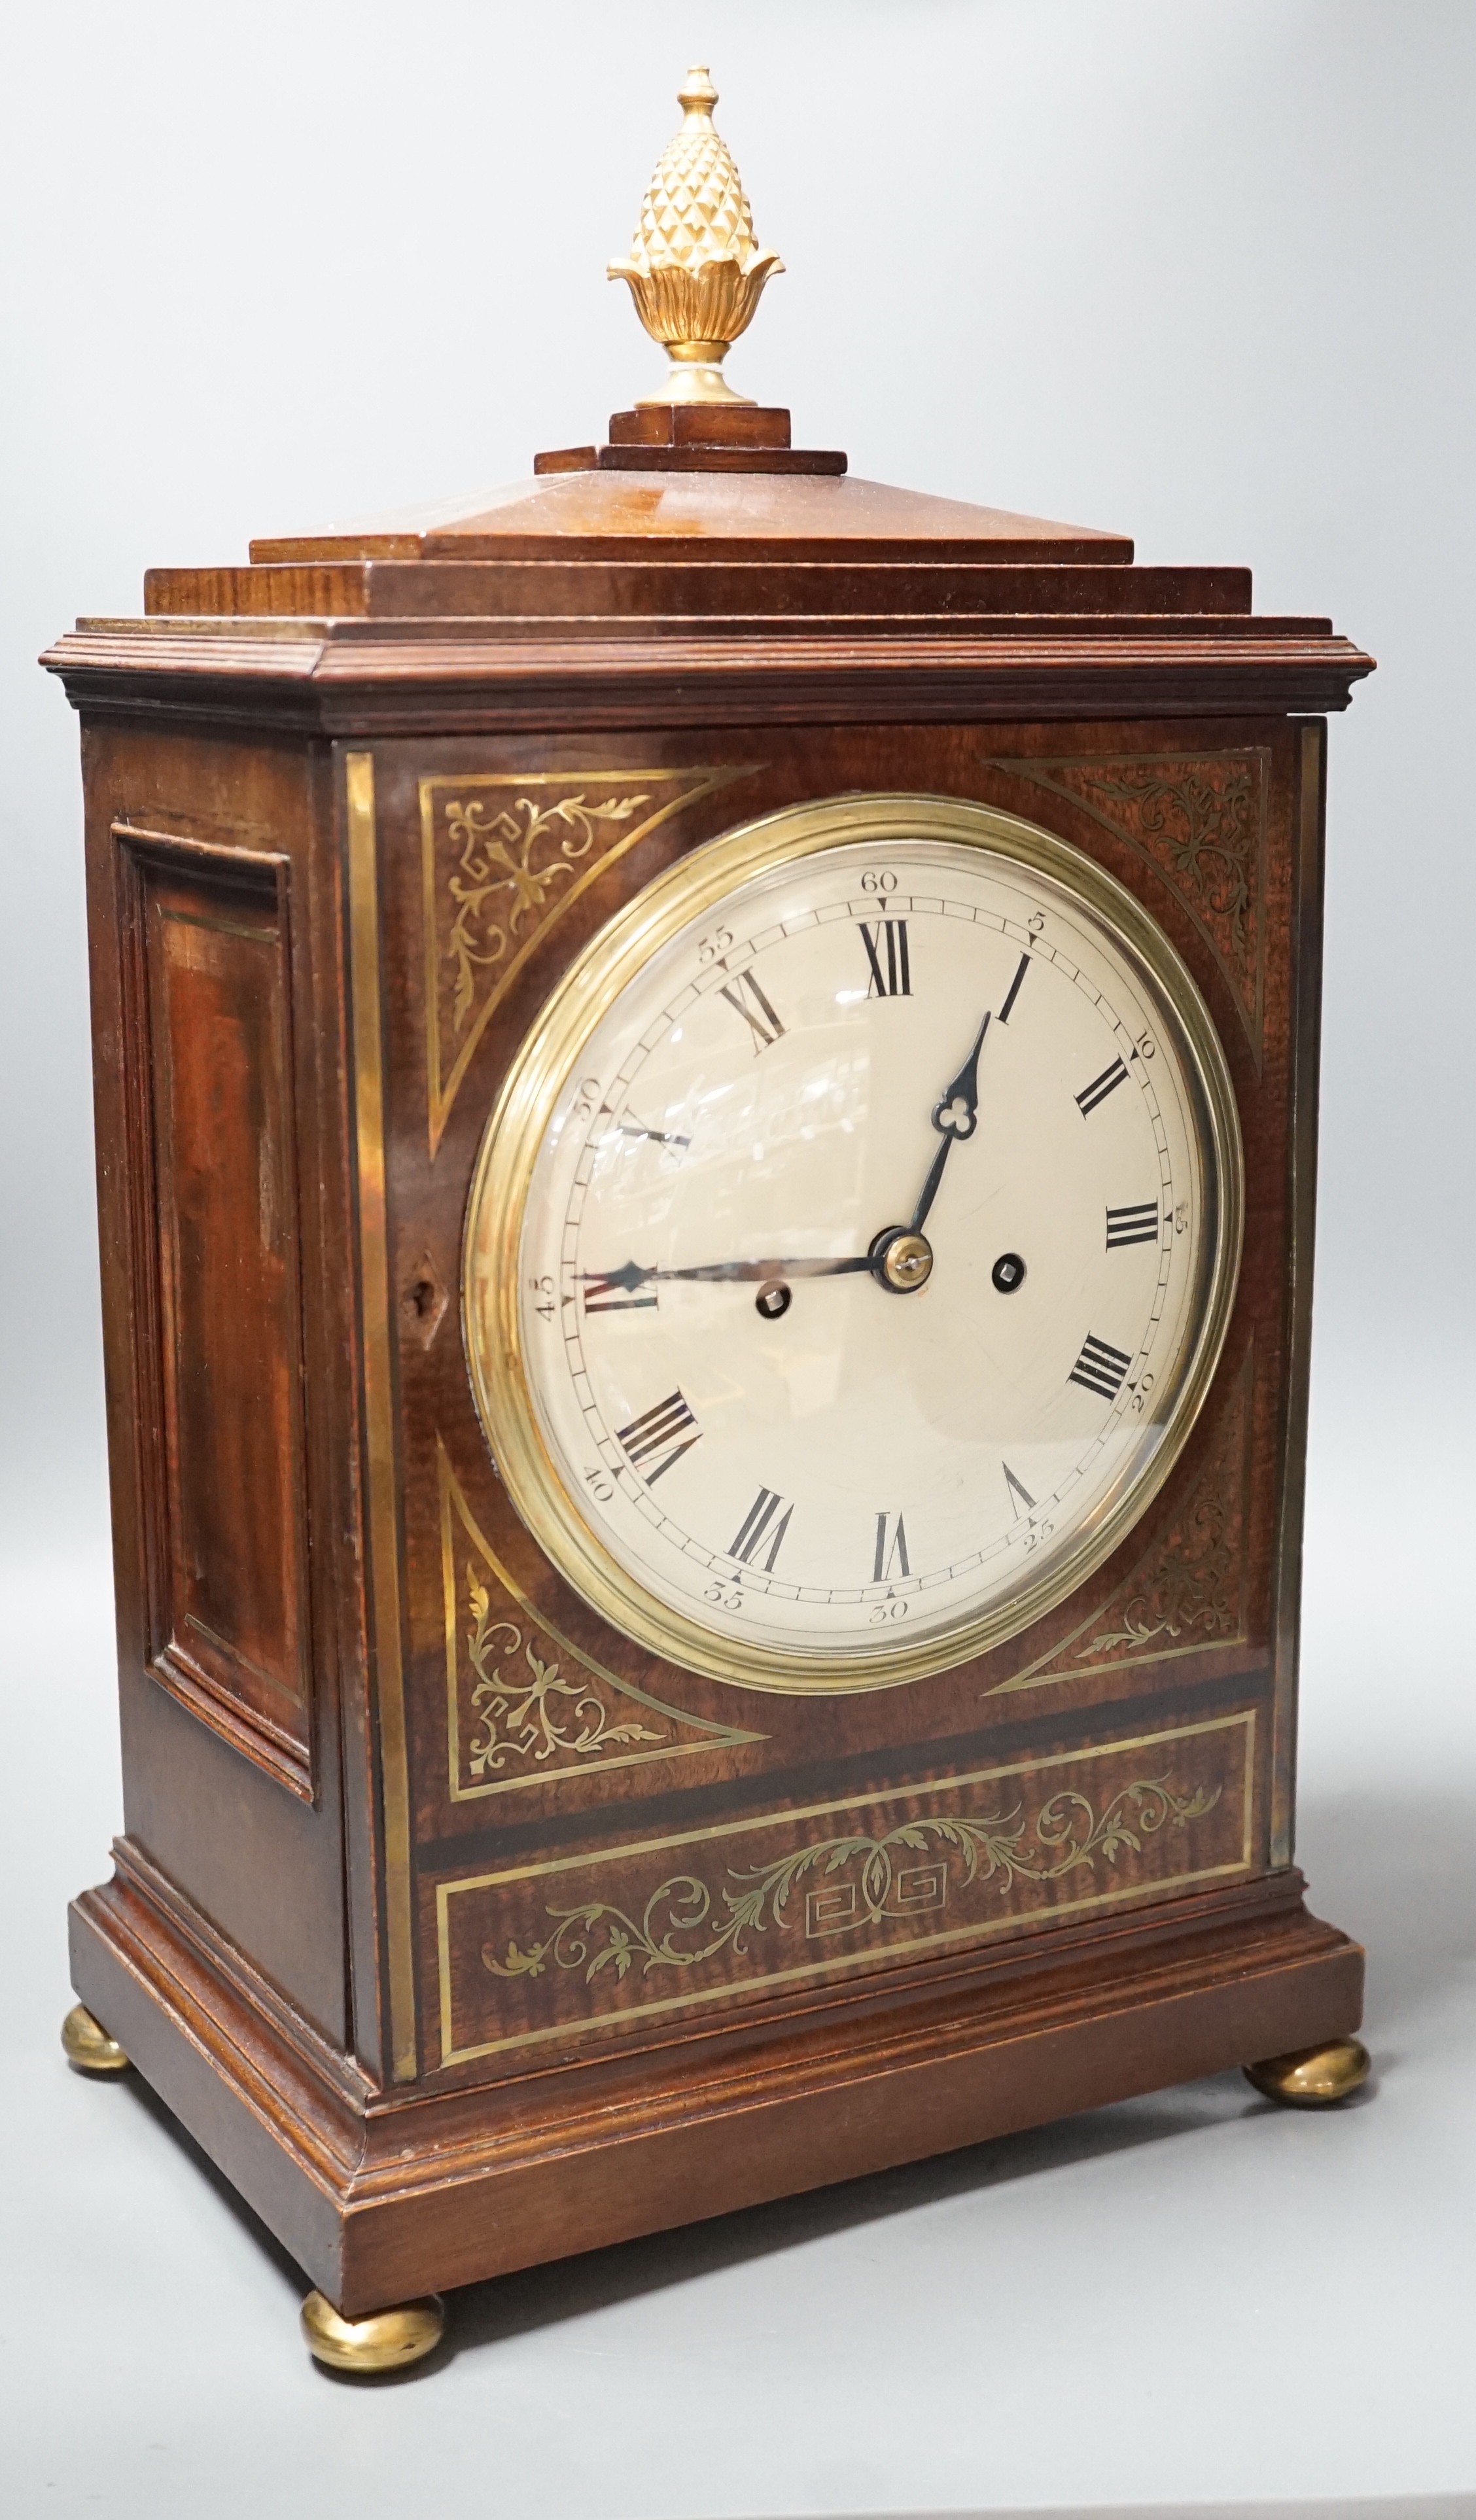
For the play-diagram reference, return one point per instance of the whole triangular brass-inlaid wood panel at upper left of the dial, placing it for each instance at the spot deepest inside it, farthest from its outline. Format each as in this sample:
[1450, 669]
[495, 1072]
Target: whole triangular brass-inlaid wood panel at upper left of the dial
[502, 858]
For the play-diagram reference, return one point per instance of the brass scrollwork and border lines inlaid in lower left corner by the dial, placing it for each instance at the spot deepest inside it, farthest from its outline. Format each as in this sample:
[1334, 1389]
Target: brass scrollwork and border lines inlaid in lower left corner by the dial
[455, 1508]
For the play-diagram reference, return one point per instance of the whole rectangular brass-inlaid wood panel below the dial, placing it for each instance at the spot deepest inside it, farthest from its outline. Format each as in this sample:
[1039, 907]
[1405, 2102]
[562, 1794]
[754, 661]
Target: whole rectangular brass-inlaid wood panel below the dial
[588, 1942]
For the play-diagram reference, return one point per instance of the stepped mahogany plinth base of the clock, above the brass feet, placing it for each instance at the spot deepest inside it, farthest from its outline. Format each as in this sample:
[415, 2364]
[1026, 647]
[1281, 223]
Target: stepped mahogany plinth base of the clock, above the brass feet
[392, 2196]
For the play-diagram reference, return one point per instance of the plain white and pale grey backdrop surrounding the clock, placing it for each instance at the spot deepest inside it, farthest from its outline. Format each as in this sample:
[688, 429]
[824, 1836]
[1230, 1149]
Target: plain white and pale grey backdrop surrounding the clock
[1188, 268]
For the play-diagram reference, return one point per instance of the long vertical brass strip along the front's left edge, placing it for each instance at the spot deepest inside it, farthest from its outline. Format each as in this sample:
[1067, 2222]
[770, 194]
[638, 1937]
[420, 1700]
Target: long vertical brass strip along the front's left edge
[379, 1400]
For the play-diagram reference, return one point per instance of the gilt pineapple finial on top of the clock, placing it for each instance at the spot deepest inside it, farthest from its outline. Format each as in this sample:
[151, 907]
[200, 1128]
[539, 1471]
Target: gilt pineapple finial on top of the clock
[694, 263]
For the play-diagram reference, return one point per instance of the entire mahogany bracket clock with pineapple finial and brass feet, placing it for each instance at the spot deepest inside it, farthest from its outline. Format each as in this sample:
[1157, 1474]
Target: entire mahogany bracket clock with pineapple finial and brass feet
[707, 1110]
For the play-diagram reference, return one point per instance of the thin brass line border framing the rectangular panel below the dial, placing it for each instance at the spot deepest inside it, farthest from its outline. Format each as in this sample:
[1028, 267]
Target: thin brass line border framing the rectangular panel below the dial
[848, 1962]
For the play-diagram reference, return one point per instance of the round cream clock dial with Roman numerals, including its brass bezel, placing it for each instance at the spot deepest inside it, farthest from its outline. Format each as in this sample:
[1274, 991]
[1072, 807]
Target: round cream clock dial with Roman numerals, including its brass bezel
[853, 1244]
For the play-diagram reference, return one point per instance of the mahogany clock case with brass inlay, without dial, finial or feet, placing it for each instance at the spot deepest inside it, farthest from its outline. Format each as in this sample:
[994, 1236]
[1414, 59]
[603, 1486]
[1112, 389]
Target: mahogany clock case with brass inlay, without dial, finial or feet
[455, 1927]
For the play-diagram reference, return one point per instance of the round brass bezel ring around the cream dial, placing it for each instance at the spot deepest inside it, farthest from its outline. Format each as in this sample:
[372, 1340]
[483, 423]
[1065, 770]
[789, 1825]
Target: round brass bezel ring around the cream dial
[553, 1050]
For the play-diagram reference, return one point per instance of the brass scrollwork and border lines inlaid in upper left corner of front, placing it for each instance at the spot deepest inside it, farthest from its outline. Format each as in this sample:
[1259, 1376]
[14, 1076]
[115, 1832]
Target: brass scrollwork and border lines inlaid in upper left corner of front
[603, 795]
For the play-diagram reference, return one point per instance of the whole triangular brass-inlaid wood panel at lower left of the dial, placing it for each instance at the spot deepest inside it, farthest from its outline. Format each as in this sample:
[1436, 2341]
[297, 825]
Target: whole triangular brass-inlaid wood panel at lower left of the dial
[523, 1702]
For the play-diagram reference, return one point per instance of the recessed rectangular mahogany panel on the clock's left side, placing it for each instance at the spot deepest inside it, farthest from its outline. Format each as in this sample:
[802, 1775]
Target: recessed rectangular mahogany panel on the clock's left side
[218, 1226]
